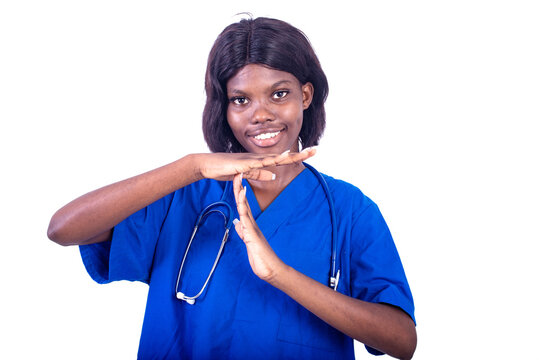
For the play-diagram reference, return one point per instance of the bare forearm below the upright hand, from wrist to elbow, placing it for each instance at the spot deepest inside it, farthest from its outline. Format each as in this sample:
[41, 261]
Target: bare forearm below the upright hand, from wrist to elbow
[380, 326]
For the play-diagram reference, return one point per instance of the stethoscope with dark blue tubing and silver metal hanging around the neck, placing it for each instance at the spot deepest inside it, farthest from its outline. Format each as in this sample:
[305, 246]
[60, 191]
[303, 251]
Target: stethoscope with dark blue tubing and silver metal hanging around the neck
[221, 206]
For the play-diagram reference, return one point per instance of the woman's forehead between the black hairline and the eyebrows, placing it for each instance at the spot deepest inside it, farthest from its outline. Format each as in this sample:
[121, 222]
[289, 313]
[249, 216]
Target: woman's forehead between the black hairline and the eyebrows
[254, 75]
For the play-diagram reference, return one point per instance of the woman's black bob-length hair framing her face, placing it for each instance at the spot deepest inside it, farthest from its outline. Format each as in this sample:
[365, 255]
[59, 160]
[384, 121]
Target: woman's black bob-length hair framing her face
[268, 42]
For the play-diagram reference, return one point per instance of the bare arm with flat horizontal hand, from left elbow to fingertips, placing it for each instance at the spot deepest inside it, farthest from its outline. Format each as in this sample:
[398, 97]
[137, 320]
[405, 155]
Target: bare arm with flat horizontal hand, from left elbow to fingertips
[91, 217]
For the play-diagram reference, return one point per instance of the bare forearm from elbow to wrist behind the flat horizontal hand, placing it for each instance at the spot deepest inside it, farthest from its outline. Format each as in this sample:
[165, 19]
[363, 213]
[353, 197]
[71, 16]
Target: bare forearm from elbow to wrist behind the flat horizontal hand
[87, 218]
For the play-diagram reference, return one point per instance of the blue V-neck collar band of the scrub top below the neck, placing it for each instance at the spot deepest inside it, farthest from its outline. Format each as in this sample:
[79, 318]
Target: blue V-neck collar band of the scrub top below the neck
[291, 200]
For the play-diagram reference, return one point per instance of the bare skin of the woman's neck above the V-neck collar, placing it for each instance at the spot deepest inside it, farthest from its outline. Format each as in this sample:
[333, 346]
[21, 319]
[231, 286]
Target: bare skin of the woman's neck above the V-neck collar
[267, 191]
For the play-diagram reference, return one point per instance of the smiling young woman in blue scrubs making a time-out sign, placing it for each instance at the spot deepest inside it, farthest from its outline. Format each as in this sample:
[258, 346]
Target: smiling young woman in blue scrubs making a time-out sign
[309, 263]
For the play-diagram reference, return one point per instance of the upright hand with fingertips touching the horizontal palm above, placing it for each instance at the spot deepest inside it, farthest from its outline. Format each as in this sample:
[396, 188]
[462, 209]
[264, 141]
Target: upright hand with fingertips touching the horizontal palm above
[263, 260]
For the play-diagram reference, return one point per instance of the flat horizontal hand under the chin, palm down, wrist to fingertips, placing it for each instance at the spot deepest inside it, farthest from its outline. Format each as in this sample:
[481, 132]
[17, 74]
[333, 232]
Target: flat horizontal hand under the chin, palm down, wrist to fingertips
[223, 166]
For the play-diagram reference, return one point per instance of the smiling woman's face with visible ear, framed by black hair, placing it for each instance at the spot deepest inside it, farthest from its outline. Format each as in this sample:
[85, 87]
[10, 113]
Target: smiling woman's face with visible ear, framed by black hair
[265, 109]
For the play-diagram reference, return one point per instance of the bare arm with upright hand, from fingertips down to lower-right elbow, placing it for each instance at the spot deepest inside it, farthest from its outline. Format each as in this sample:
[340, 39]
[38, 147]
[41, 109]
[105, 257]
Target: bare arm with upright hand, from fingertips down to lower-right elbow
[379, 326]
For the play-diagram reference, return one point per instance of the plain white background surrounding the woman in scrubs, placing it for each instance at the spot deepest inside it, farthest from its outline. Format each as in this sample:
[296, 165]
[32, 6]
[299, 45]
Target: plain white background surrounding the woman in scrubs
[432, 112]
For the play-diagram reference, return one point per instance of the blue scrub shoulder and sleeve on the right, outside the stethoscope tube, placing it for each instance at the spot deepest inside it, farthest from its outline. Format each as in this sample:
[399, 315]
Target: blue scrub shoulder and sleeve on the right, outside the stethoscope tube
[370, 262]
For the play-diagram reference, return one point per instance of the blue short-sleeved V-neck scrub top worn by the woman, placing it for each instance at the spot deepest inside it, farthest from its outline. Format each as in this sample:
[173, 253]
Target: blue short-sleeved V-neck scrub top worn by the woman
[240, 316]
